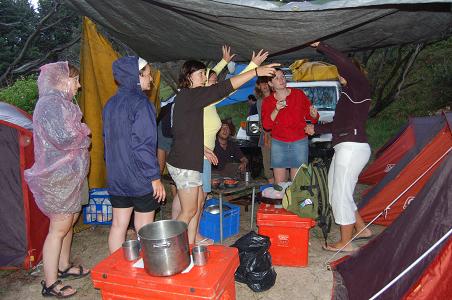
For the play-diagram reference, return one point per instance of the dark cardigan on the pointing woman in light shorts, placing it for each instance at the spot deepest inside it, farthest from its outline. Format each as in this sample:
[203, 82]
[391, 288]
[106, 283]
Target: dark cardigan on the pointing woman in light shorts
[187, 151]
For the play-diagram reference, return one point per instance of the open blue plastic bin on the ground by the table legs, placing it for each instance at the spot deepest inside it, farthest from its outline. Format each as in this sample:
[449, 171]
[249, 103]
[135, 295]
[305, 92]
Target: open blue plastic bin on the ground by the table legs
[209, 226]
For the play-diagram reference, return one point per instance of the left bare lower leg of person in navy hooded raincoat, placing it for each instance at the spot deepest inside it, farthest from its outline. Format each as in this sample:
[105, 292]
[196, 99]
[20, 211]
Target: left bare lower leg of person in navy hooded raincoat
[118, 230]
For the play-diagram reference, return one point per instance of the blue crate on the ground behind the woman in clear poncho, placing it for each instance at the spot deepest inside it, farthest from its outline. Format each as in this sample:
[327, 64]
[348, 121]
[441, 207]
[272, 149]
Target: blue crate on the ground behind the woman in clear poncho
[99, 210]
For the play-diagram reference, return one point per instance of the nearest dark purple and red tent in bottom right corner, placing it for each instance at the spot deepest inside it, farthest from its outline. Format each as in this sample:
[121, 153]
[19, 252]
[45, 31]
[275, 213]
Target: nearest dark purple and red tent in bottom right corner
[412, 258]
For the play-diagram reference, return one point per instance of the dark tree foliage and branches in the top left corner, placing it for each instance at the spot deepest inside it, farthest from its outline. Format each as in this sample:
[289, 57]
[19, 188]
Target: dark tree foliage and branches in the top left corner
[19, 21]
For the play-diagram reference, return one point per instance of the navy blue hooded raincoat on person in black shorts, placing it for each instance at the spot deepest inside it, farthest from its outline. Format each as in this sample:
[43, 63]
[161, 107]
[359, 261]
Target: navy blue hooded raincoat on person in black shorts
[130, 134]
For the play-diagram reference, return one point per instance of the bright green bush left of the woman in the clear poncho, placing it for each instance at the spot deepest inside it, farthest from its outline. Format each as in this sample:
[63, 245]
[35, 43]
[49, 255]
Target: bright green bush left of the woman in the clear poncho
[23, 94]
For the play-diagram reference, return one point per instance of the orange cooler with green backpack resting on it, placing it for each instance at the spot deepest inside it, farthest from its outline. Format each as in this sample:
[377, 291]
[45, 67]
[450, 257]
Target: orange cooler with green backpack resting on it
[289, 235]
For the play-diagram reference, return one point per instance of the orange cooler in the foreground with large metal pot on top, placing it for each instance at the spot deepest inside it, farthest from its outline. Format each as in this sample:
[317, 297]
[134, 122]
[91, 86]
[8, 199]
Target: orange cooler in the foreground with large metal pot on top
[117, 279]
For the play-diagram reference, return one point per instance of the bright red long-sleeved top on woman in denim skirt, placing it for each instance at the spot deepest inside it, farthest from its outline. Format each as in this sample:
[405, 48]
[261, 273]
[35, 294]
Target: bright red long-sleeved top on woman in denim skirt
[290, 122]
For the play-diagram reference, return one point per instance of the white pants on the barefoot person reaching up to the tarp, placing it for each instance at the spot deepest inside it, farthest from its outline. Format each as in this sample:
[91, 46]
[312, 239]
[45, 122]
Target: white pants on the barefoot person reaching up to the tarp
[348, 161]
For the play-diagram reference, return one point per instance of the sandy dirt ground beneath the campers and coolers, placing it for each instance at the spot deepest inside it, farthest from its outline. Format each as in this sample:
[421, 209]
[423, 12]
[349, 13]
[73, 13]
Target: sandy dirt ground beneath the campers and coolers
[90, 247]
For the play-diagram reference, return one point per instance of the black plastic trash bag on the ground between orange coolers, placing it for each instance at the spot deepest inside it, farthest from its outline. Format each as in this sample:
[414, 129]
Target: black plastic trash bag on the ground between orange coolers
[255, 267]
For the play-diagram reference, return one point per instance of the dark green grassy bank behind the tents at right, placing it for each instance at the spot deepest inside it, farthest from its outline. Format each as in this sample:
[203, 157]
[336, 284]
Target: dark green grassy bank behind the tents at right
[431, 91]
